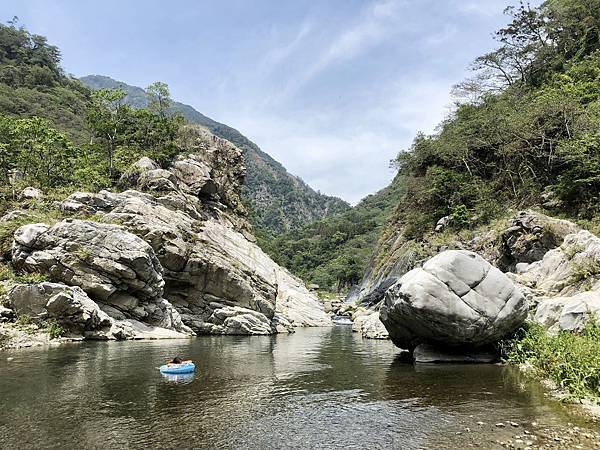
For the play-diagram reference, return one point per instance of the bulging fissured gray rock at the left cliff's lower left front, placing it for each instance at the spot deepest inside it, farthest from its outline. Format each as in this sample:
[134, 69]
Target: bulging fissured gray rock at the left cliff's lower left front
[111, 265]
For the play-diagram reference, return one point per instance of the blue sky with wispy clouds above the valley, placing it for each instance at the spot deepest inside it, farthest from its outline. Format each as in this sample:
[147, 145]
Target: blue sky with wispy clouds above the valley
[332, 89]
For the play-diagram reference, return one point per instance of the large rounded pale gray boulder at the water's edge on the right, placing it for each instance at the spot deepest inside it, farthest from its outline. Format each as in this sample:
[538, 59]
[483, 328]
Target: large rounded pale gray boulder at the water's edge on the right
[456, 299]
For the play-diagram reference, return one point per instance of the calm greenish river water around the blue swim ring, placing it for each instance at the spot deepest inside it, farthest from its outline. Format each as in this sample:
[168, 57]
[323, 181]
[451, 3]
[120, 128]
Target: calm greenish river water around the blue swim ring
[316, 388]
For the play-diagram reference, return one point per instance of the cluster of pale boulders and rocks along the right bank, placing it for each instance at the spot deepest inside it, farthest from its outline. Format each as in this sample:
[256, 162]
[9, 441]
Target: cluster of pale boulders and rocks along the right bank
[456, 305]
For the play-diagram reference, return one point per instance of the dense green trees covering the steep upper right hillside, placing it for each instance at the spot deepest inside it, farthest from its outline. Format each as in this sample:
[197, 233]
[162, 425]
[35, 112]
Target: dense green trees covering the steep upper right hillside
[527, 125]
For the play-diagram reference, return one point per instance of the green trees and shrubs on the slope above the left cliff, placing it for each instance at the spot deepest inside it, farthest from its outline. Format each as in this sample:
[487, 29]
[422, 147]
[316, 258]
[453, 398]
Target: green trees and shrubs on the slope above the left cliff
[77, 139]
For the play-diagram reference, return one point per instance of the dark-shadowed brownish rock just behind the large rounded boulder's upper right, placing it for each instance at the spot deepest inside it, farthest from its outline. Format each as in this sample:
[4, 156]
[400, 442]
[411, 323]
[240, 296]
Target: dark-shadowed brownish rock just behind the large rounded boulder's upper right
[529, 236]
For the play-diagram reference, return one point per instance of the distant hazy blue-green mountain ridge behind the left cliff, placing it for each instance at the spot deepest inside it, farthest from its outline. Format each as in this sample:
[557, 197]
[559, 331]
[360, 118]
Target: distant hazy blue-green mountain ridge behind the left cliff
[277, 200]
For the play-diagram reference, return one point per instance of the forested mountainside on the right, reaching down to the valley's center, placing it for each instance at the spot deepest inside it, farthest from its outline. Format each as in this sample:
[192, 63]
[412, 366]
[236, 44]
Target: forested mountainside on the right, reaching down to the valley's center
[525, 132]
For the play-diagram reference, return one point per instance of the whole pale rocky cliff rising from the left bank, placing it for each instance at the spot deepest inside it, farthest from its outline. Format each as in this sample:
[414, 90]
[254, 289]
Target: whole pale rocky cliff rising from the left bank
[173, 250]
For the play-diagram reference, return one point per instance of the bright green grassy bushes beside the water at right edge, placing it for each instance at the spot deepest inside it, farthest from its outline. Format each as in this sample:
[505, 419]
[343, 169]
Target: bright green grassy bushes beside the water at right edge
[569, 359]
